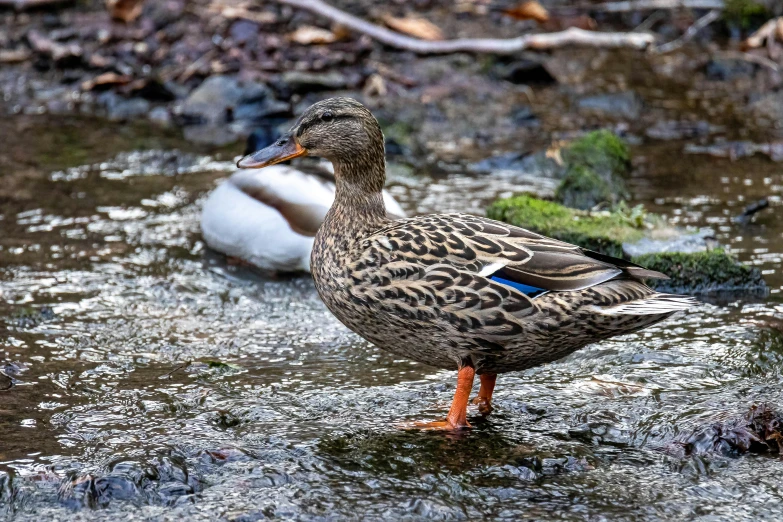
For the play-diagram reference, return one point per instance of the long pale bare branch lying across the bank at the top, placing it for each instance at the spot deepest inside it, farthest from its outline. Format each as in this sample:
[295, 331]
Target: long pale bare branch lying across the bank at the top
[543, 41]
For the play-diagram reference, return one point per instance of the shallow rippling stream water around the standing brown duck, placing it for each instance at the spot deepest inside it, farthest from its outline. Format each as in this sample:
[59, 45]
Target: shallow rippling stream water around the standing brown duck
[144, 378]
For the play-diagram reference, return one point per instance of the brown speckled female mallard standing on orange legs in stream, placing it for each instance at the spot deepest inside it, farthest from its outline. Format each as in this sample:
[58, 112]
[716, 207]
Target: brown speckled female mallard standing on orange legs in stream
[454, 290]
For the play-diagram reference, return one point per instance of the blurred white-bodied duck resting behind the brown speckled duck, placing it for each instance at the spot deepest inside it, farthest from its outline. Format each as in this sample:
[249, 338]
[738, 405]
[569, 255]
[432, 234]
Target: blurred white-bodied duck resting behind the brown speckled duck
[269, 217]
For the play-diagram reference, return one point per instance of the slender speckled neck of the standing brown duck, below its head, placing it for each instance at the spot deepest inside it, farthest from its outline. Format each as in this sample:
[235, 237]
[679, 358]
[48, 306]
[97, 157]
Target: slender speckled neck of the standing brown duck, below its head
[358, 202]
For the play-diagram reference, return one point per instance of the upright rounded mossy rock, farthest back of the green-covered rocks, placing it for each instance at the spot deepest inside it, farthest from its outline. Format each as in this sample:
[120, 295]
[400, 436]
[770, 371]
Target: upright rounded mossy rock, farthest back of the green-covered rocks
[595, 169]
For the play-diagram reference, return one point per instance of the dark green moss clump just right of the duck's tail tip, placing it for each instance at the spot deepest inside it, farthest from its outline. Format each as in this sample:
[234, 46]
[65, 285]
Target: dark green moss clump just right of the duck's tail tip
[713, 270]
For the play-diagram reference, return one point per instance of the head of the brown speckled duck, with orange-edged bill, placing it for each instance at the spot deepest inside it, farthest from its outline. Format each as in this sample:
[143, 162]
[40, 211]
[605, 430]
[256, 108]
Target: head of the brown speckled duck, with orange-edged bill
[341, 130]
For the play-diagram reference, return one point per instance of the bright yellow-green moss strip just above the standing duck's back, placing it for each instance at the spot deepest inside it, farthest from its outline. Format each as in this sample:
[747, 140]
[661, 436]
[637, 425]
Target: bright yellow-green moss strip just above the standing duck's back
[602, 232]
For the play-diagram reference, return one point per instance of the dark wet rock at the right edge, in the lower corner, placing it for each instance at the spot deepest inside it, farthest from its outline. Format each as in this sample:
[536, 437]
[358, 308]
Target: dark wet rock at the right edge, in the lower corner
[758, 431]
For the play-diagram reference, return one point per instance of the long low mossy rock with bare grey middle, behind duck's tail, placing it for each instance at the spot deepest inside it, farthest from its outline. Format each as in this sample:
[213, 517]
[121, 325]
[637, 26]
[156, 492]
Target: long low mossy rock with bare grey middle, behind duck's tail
[700, 268]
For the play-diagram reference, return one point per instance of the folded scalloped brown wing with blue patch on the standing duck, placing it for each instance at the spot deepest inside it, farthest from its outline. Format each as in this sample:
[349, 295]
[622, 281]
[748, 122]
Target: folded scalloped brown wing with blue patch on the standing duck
[465, 273]
